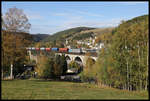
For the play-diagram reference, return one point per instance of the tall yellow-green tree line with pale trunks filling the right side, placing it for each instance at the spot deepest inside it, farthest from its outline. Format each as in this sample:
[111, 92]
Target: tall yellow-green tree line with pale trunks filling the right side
[123, 62]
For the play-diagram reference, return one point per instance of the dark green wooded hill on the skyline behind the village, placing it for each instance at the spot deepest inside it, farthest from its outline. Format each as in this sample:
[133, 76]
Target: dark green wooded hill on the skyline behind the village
[66, 33]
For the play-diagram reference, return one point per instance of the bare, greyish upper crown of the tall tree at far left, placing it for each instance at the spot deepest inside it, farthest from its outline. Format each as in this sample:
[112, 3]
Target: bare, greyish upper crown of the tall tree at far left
[16, 21]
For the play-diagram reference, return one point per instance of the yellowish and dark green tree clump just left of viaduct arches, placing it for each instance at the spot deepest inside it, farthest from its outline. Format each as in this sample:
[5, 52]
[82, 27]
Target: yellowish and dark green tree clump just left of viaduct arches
[50, 68]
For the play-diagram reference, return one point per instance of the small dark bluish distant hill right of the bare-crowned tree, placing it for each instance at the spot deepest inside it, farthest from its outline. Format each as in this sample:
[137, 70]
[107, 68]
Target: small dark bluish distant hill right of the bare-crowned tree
[39, 37]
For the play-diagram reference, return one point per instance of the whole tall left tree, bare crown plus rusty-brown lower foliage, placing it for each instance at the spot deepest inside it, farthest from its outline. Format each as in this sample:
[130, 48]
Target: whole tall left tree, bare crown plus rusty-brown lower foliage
[14, 36]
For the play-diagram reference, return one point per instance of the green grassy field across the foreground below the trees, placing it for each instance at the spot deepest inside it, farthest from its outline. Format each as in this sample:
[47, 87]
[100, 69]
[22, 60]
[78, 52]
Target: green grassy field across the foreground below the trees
[40, 89]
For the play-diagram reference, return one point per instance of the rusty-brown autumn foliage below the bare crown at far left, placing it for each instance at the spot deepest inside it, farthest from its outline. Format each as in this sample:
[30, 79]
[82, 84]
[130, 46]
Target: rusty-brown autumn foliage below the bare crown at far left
[14, 55]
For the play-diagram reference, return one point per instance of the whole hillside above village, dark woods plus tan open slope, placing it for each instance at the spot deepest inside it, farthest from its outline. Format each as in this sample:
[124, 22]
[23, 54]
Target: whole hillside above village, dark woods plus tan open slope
[77, 33]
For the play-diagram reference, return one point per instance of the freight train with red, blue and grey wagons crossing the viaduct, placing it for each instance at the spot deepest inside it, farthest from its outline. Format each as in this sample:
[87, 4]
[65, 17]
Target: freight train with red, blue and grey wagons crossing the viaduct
[63, 50]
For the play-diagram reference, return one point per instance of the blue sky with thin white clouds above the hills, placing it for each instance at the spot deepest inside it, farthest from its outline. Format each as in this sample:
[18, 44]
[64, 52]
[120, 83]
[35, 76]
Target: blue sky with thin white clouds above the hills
[52, 17]
